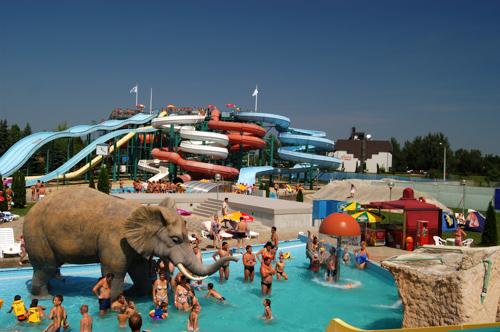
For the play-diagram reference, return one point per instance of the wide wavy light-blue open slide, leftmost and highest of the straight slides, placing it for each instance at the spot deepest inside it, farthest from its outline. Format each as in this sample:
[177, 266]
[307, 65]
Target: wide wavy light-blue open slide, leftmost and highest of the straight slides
[20, 152]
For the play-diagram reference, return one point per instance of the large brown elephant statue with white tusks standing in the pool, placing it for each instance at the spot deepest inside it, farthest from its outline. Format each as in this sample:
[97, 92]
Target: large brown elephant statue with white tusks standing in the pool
[83, 225]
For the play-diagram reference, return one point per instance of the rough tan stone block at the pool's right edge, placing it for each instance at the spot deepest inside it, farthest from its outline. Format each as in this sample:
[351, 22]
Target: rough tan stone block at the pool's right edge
[443, 285]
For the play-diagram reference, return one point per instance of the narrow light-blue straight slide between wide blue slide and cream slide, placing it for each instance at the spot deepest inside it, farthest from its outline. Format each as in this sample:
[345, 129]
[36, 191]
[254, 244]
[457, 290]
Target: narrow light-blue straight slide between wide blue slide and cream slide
[89, 149]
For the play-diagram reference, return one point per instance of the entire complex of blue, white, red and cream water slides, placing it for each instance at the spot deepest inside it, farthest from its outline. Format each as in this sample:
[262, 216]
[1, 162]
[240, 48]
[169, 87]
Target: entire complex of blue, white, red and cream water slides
[201, 142]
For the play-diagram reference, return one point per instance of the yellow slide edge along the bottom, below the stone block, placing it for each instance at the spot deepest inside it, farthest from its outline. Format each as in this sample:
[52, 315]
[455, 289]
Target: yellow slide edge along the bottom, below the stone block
[338, 325]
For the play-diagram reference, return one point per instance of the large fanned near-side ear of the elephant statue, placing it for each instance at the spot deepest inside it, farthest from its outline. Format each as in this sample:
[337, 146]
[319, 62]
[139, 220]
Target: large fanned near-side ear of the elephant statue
[144, 223]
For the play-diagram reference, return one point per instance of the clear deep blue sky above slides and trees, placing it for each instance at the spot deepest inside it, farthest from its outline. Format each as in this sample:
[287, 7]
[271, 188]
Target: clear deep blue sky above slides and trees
[391, 68]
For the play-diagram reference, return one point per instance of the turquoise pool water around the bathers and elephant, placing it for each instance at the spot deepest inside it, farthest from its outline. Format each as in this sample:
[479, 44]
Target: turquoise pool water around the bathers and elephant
[303, 303]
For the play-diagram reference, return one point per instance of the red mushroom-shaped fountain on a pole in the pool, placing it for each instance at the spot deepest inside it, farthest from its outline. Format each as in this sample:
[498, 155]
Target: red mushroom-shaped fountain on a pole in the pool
[337, 225]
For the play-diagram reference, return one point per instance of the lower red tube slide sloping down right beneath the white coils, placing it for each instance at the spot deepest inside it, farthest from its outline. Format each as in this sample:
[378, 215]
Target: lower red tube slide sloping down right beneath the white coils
[195, 166]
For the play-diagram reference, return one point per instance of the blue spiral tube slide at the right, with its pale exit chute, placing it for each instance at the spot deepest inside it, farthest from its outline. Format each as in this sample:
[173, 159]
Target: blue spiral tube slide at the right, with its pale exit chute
[302, 146]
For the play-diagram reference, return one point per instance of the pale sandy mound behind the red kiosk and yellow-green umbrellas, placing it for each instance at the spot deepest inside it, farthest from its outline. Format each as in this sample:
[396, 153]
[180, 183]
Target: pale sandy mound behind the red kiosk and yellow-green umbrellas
[366, 192]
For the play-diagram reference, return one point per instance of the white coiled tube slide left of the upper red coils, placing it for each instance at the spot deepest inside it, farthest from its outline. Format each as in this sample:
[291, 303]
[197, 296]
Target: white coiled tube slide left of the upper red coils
[196, 142]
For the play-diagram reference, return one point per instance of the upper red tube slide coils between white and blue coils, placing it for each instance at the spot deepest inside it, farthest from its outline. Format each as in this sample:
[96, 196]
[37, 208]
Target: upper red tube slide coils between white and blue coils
[241, 135]
